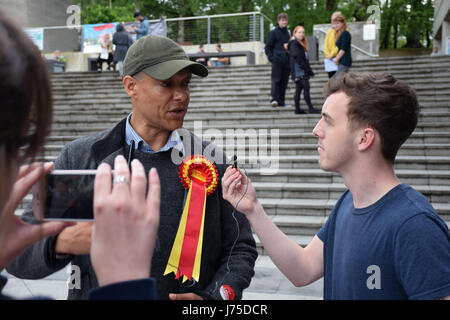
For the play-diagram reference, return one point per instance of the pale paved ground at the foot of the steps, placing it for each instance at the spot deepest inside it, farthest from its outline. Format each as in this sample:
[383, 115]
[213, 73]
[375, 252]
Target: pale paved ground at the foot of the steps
[268, 284]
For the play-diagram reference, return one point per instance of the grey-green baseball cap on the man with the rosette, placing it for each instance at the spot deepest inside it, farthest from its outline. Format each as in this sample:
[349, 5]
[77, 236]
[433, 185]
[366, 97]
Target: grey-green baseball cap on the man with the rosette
[160, 58]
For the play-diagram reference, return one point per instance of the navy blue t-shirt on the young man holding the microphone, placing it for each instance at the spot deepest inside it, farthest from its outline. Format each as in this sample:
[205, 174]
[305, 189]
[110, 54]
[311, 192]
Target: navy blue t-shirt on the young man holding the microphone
[397, 248]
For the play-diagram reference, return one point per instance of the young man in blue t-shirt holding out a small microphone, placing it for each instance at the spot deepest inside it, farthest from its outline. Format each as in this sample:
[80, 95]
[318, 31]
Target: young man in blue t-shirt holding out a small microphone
[383, 239]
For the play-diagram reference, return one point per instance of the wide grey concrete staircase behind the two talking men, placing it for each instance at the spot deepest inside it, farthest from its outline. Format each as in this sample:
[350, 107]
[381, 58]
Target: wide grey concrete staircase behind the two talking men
[233, 102]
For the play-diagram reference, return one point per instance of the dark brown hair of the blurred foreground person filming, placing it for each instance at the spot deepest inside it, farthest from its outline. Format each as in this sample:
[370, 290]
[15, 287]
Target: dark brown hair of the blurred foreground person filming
[25, 92]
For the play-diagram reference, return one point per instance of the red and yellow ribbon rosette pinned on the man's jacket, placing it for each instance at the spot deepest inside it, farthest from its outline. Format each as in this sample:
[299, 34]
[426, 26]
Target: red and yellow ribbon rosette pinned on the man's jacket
[200, 177]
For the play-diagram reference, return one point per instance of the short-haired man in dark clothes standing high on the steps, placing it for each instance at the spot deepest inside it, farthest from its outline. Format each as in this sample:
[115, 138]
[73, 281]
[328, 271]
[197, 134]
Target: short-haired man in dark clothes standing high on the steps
[277, 54]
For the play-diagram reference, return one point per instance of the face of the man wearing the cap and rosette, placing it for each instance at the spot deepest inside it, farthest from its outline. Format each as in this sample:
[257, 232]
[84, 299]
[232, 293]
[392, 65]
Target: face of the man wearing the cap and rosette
[161, 104]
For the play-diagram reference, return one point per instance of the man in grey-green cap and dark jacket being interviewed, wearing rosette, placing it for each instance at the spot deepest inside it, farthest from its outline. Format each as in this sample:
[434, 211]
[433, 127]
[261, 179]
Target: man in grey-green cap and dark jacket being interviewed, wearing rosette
[157, 73]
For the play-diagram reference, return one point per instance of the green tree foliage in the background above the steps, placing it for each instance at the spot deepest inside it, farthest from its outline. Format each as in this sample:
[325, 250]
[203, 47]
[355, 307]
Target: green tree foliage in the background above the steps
[403, 22]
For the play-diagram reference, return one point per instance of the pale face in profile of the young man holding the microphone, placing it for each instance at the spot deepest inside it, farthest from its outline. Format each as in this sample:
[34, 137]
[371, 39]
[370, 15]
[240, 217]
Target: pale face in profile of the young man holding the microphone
[337, 143]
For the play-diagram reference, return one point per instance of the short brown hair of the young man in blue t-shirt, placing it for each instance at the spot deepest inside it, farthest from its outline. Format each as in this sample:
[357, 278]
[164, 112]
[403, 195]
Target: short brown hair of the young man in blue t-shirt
[382, 102]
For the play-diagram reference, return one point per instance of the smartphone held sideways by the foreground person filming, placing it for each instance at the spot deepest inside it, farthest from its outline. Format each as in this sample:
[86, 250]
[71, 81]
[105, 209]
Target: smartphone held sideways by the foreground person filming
[65, 195]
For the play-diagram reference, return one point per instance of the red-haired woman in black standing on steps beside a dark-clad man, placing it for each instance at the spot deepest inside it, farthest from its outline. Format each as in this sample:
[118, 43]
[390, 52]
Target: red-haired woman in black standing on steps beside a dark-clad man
[300, 69]
